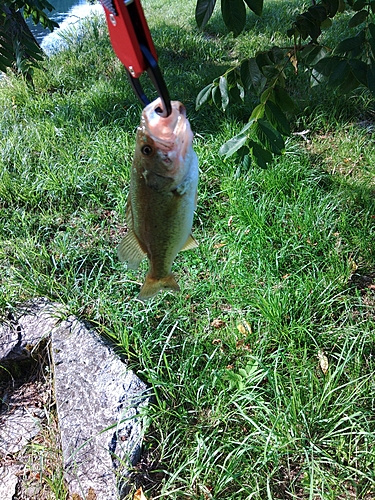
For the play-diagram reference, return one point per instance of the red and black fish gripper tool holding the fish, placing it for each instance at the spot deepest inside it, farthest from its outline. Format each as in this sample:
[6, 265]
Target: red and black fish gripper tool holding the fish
[131, 40]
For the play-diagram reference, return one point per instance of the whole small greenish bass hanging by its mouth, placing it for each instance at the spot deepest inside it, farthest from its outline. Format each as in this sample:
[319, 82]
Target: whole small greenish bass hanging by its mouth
[162, 197]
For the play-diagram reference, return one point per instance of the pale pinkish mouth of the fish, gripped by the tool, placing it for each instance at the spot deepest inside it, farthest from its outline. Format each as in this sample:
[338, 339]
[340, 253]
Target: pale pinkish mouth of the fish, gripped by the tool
[172, 132]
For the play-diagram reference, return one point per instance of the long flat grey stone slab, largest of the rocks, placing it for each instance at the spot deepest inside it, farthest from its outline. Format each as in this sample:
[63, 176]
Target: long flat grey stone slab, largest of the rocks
[98, 400]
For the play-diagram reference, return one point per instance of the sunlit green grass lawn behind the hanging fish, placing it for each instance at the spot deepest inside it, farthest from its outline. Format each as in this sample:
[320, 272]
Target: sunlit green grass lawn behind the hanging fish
[239, 412]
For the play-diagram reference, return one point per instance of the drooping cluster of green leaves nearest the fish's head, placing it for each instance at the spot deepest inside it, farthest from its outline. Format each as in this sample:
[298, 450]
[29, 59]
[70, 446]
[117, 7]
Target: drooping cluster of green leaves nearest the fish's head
[268, 124]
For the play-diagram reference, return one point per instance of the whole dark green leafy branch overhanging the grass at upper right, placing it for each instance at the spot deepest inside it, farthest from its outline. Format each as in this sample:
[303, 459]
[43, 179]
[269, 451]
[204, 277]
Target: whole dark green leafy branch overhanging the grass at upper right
[347, 66]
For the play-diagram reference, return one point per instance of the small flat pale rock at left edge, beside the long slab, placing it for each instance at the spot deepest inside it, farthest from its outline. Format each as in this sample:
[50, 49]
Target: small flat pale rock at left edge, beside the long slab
[18, 428]
